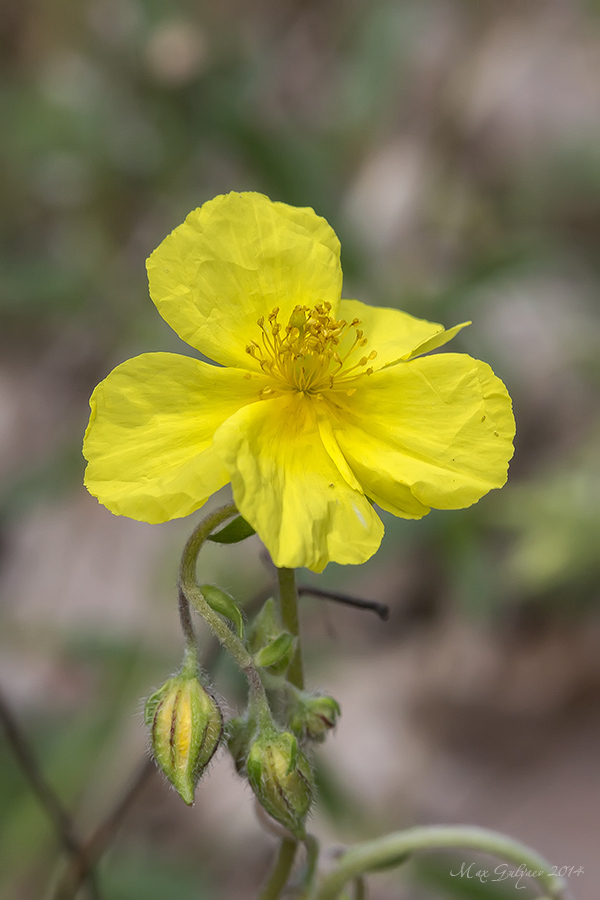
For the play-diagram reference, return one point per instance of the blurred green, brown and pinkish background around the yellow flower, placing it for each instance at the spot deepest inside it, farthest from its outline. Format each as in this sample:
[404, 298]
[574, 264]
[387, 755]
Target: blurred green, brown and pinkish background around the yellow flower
[454, 147]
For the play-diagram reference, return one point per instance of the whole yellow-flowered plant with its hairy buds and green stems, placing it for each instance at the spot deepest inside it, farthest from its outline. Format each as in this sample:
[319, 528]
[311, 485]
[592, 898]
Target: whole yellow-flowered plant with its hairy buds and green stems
[316, 409]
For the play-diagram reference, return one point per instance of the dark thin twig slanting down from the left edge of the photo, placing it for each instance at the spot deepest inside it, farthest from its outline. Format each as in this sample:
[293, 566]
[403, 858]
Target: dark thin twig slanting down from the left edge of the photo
[49, 801]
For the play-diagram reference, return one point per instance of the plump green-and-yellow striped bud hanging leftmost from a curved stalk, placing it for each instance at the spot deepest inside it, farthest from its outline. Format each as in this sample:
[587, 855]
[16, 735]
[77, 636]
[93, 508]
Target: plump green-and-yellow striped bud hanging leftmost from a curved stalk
[186, 726]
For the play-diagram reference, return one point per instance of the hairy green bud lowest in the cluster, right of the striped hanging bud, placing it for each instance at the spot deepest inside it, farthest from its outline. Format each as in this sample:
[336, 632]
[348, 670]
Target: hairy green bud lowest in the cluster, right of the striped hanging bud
[280, 776]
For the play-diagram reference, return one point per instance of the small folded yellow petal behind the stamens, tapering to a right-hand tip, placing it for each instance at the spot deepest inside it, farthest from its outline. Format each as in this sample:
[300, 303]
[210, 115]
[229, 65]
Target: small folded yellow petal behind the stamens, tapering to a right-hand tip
[393, 334]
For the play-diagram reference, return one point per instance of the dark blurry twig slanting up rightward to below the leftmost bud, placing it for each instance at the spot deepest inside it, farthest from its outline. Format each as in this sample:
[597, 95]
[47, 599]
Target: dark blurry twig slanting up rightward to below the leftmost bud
[96, 845]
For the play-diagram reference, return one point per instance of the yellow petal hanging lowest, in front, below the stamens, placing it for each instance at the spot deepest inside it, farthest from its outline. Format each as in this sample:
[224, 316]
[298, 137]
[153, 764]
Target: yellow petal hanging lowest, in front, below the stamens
[287, 486]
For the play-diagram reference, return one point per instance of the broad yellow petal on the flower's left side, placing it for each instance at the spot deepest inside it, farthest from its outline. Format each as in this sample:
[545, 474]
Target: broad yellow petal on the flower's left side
[149, 439]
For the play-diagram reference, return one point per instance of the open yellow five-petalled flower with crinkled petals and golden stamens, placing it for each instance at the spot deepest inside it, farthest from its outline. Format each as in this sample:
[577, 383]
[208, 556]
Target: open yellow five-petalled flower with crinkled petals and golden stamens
[316, 407]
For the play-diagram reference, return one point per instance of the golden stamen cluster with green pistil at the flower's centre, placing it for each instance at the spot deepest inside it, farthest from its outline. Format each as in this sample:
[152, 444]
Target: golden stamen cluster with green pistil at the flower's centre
[305, 355]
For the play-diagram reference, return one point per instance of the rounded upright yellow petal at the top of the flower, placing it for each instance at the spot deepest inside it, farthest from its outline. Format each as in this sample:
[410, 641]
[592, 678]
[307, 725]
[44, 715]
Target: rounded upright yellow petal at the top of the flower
[234, 260]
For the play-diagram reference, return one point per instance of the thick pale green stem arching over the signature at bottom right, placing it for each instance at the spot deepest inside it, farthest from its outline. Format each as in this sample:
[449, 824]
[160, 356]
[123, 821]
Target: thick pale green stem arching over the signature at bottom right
[394, 849]
